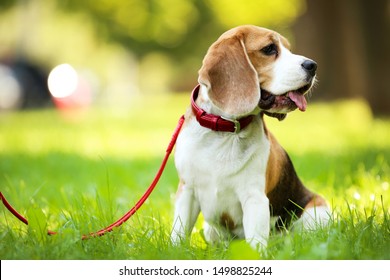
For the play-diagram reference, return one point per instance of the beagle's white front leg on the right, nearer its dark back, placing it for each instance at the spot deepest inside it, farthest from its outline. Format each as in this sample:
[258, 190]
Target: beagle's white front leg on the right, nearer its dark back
[256, 220]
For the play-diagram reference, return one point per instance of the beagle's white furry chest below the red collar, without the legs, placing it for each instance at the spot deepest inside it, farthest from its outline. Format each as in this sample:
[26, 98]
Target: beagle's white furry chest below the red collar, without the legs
[222, 168]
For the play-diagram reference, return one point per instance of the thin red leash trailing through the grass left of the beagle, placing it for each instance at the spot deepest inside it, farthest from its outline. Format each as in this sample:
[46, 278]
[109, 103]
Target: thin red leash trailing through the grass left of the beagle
[133, 210]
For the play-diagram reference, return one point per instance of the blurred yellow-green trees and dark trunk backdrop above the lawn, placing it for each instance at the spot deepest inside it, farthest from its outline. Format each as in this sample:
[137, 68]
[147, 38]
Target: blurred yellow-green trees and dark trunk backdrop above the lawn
[73, 53]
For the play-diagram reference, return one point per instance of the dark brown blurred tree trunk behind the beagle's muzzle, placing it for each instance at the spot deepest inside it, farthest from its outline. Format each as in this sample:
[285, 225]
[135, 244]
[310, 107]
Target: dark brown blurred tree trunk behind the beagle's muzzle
[349, 39]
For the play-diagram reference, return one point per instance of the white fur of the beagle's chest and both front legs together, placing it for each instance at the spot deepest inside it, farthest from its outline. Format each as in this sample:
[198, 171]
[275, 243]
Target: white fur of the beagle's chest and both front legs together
[223, 174]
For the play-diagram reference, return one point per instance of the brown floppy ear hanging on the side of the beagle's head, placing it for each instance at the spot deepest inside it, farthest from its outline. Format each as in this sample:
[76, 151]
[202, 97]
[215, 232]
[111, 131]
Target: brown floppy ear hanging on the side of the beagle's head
[230, 77]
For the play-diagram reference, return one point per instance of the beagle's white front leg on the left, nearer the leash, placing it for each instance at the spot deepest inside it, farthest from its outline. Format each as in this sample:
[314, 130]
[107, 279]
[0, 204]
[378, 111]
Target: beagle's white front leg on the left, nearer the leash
[187, 210]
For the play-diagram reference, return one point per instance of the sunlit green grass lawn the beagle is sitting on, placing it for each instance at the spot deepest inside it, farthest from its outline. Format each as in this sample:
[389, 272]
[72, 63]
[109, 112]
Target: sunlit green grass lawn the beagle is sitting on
[78, 174]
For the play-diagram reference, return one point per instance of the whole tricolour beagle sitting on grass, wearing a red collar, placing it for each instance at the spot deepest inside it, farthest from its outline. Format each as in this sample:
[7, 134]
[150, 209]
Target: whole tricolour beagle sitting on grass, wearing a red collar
[231, 168]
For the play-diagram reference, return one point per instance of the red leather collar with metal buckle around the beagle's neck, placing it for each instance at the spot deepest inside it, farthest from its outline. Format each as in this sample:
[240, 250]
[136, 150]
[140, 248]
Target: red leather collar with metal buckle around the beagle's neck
[217, 123]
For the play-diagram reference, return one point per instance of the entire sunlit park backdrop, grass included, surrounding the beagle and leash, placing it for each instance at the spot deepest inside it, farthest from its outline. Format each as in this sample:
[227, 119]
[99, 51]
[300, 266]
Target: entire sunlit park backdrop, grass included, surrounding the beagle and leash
[91, 90]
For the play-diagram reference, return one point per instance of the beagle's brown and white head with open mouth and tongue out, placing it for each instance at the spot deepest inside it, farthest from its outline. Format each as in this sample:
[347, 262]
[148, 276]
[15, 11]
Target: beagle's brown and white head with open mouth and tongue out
[250, 67]
